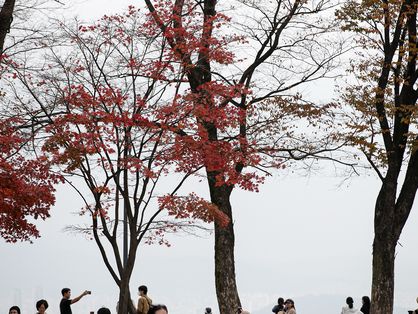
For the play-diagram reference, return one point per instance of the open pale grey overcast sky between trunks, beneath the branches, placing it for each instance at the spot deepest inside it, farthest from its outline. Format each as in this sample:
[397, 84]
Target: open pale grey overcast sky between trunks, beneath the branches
[308, 237]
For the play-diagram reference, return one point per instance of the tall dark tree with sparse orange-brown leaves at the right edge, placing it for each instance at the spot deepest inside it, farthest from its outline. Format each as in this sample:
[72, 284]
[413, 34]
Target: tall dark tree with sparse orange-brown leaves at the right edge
[391, 114]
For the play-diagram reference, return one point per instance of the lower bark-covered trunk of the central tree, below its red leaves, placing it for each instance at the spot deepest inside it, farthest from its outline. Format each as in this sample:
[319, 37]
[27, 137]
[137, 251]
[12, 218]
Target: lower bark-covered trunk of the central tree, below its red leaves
[226, 287]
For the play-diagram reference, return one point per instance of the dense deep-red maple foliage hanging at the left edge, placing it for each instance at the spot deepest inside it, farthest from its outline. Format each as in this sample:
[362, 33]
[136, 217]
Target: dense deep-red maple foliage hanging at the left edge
[26, 186]
